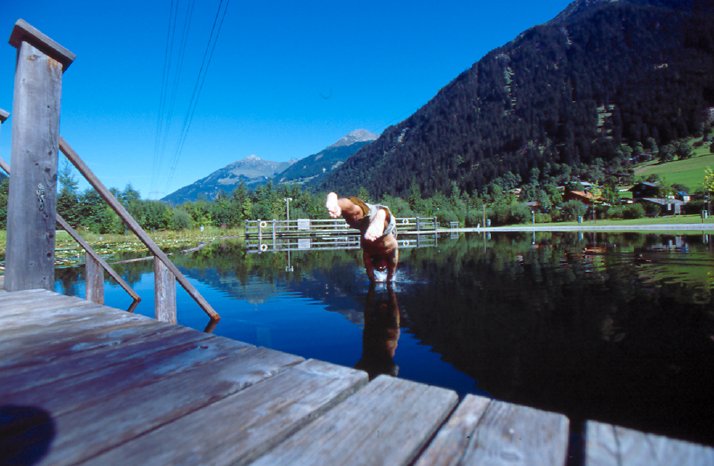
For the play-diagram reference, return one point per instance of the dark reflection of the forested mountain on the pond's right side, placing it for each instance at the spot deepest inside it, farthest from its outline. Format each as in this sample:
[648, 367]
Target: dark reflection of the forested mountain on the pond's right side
[545, 324]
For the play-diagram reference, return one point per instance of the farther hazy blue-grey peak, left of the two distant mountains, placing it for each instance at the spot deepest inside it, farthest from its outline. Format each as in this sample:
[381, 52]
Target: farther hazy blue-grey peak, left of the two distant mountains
[251, 170]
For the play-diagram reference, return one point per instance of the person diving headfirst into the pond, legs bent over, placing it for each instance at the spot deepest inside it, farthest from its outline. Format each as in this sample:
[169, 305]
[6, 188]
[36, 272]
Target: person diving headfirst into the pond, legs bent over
[378, 232]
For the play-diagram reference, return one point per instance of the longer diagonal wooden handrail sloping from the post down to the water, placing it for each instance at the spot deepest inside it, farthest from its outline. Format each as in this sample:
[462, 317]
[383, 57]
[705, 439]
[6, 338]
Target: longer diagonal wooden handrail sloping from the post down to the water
[134, 226]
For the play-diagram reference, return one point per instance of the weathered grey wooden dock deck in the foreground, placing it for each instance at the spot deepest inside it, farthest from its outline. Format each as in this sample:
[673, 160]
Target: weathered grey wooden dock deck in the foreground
[84, 383]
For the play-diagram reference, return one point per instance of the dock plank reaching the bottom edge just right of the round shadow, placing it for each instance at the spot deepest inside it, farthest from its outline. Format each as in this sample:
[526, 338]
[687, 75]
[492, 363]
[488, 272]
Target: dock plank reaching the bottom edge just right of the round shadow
[84, 433]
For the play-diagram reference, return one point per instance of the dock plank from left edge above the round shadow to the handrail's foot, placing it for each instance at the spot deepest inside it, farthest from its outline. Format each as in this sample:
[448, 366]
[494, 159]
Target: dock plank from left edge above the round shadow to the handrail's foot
[141, 344]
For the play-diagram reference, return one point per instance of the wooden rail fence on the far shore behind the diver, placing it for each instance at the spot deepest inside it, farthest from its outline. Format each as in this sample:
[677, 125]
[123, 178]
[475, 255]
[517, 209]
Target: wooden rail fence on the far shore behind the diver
[308, 227]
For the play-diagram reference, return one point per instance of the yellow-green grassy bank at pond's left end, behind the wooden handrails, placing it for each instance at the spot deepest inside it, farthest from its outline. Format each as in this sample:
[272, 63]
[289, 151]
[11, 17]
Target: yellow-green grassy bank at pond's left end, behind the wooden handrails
[116, 247]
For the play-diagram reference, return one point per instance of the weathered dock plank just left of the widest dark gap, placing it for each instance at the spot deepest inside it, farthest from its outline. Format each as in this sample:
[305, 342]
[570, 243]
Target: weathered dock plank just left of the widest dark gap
[483, 431]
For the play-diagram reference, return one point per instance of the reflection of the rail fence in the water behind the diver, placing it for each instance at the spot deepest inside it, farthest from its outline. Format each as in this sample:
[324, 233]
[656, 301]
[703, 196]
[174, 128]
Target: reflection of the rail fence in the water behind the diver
[327, 242]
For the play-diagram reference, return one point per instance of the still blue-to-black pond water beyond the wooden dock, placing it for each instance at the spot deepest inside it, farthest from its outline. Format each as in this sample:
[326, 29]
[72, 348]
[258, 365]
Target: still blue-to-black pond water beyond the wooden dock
[612, 327]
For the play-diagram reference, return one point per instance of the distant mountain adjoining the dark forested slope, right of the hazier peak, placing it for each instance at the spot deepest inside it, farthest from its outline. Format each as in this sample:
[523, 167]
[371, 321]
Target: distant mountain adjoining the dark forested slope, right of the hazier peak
[315, 167]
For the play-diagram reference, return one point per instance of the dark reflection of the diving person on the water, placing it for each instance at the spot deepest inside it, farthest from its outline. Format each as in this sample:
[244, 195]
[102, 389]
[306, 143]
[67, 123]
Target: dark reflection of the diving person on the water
[381, 333]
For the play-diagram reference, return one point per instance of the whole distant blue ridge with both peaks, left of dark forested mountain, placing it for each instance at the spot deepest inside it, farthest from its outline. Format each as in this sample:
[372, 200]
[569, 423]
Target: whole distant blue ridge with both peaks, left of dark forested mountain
[254, 171]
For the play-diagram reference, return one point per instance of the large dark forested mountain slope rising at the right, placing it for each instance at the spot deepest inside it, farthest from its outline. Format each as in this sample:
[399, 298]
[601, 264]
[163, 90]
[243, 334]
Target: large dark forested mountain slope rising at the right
[558, 99]
